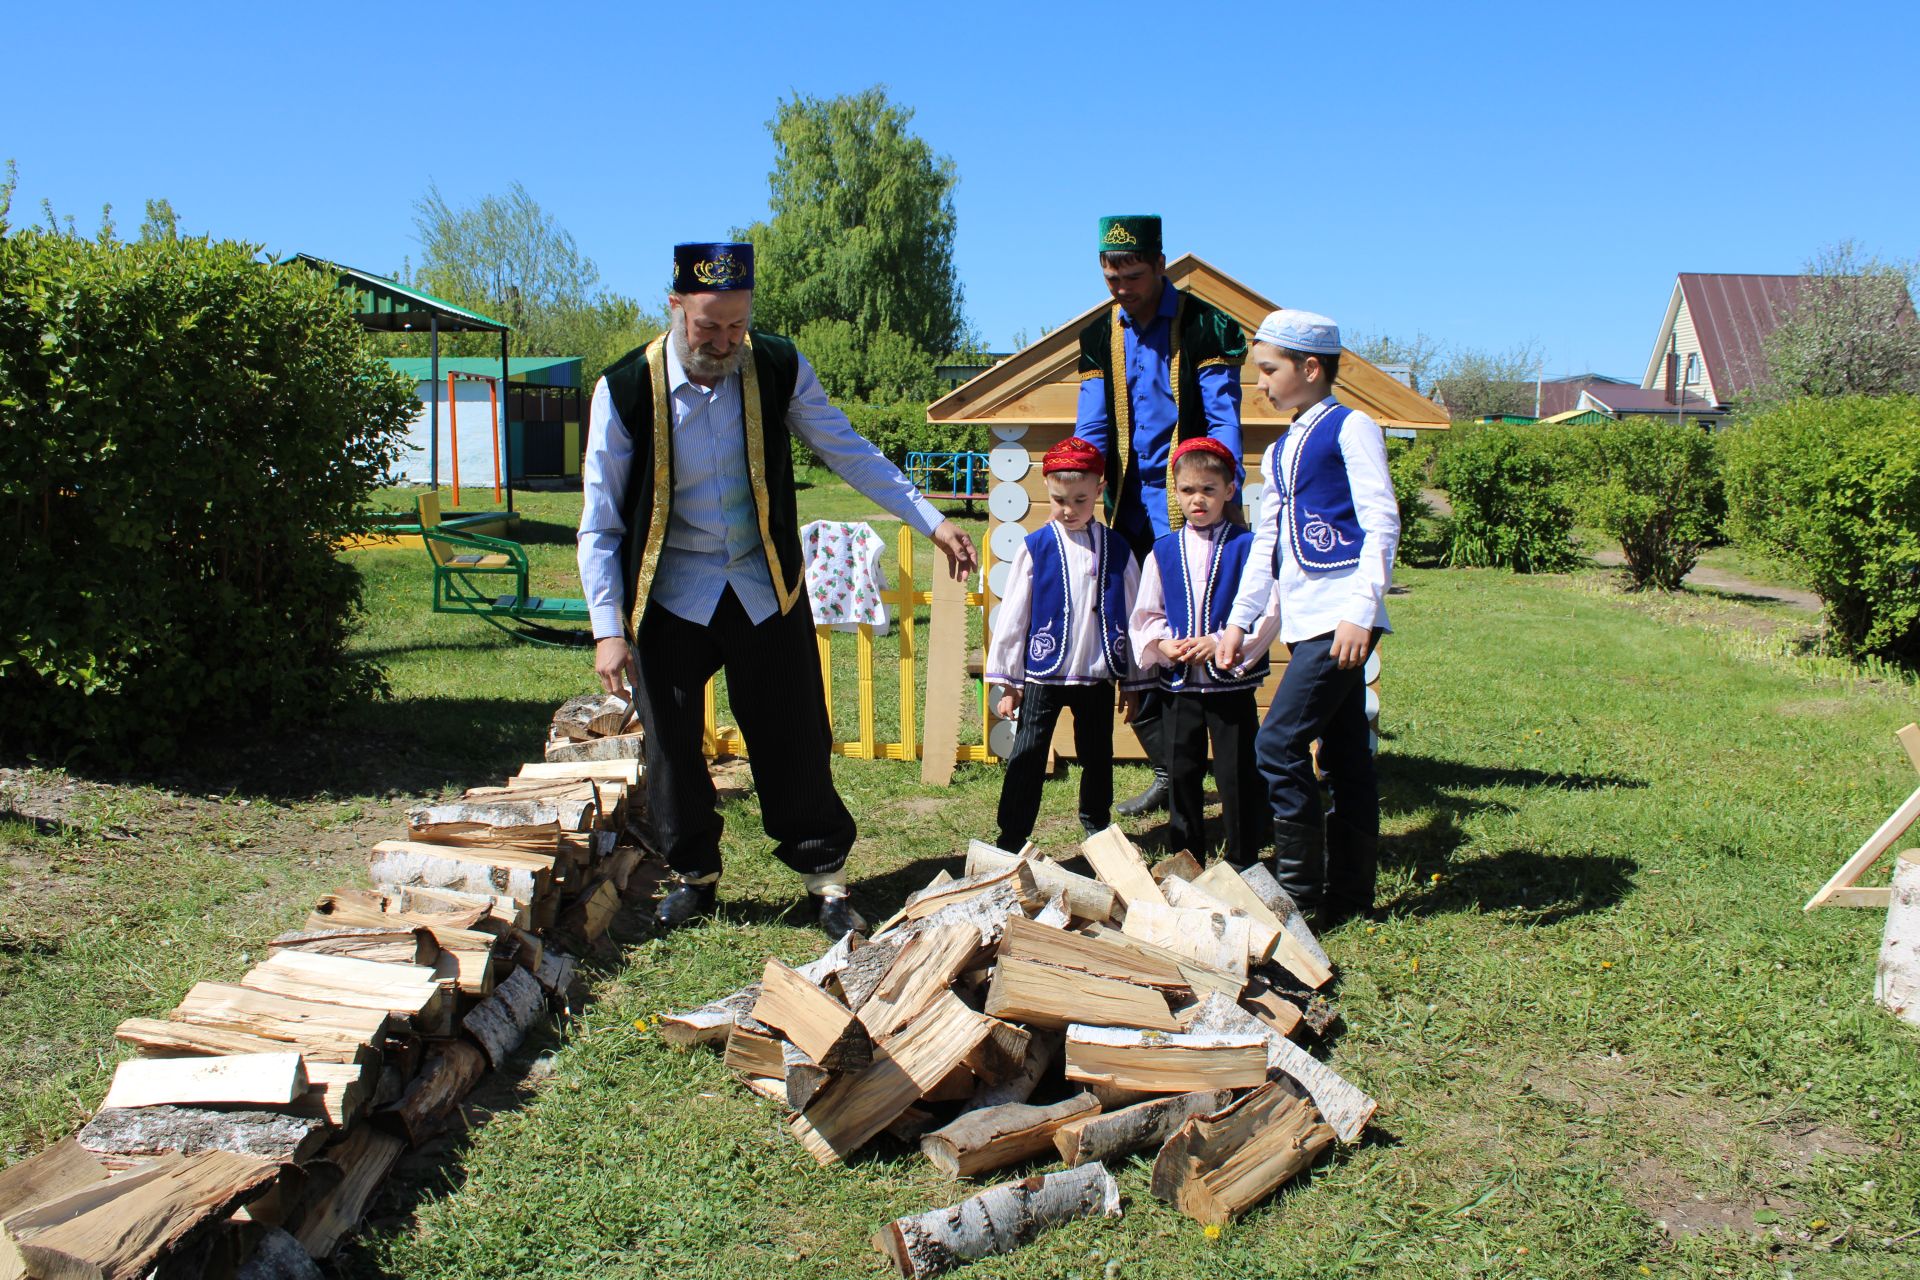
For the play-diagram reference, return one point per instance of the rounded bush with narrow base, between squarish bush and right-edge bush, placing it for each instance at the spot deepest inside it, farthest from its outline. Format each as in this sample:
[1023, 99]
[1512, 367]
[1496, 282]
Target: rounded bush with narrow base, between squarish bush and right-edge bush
[1654, 485]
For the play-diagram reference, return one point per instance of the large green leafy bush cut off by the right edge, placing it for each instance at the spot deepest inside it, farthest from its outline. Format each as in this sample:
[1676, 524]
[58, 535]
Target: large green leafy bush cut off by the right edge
[1835, 488]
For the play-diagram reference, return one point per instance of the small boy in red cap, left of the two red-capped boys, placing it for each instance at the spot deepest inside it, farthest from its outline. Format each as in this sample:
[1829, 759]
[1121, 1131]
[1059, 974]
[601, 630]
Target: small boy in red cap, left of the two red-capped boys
[1061, 642]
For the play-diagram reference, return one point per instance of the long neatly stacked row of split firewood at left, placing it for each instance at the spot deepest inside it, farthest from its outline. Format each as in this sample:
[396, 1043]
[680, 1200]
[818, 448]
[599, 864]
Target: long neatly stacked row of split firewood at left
[262, 1116]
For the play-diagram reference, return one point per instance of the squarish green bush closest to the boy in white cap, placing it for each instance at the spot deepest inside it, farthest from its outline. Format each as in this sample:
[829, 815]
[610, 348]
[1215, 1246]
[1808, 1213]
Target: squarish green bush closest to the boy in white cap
[1512, 508]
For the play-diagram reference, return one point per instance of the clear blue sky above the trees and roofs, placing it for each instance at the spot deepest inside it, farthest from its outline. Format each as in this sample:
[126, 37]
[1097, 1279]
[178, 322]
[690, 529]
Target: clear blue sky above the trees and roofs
[1485, 174]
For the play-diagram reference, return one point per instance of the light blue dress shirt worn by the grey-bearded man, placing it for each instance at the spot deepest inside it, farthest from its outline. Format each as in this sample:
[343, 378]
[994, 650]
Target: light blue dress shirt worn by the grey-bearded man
[713, 536]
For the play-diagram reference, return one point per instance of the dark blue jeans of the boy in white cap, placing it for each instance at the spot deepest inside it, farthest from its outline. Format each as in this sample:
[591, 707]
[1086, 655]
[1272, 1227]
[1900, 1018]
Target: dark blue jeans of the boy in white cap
[1320, 701]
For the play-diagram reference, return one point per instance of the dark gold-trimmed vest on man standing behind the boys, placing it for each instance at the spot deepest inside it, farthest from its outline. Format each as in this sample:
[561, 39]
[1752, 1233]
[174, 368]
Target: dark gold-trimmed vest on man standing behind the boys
[1203, 335]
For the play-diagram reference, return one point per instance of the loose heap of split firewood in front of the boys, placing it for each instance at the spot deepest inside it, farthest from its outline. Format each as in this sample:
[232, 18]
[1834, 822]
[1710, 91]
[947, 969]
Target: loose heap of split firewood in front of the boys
[1030, 1010]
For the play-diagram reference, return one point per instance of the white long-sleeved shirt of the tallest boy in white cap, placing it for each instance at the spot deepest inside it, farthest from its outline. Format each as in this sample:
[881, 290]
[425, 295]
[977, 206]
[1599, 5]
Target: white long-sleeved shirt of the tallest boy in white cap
[1316, 604]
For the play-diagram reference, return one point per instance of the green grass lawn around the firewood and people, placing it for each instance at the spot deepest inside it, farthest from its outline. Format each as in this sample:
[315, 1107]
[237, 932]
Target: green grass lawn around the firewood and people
[1596, 1003]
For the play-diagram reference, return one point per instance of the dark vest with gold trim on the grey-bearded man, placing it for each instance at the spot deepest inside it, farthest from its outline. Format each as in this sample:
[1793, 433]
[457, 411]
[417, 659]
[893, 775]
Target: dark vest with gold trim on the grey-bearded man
[638, 389]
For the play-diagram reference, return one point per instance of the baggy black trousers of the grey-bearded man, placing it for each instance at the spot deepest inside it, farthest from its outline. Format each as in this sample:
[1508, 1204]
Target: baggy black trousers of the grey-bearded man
[773, 675]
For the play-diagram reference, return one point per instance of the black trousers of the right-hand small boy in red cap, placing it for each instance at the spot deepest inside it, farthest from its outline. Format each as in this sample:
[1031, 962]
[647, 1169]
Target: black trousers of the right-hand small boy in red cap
[1230, 721]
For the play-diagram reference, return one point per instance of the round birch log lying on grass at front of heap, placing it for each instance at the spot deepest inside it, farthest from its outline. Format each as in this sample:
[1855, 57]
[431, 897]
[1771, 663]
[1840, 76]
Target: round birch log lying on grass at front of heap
[997, 1221]
